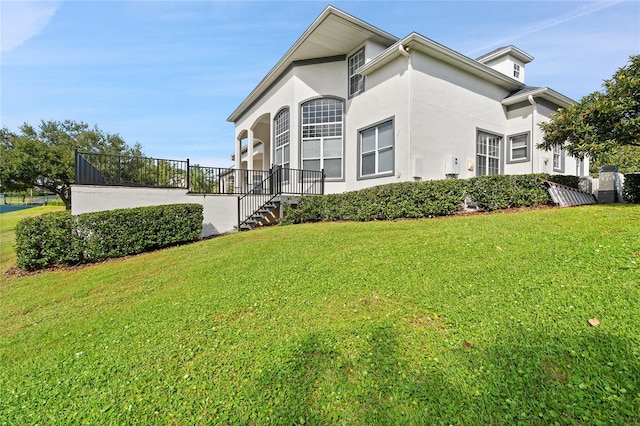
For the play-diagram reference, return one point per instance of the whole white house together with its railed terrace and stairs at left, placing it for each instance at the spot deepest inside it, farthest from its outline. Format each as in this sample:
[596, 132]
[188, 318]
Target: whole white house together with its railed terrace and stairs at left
[351, 106]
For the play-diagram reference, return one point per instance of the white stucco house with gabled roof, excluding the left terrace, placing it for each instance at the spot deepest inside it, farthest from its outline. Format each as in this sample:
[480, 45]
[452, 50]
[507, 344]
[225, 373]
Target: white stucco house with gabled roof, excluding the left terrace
[369, 108]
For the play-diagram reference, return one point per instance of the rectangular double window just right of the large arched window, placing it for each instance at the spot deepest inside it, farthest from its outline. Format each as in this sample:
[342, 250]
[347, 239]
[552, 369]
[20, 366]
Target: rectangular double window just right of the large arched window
[375, 148]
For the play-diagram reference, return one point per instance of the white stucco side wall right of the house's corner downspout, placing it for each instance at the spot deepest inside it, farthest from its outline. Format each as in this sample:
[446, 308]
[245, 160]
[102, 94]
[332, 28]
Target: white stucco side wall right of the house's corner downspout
[448, 108]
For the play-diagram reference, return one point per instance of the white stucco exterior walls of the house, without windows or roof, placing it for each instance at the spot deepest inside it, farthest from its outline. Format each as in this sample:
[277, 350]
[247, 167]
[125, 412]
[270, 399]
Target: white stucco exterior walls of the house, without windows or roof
[437, 110]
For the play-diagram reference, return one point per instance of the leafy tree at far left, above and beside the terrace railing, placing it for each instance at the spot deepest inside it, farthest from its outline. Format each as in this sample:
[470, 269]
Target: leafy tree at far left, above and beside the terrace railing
[44, 157]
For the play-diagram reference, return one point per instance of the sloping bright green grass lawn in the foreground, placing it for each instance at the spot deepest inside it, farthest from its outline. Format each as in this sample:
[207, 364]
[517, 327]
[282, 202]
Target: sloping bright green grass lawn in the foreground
[465, 320]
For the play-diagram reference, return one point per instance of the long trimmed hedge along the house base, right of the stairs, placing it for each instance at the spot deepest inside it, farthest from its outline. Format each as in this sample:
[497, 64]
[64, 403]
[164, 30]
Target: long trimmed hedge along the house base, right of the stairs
[426, 199]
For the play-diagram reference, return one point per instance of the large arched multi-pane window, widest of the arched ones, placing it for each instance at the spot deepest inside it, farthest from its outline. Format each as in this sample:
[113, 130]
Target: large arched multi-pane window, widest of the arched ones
[322, 136]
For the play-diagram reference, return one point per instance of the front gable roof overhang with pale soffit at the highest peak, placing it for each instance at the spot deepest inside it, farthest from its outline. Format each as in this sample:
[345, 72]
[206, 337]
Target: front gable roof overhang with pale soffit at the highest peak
[333, 33]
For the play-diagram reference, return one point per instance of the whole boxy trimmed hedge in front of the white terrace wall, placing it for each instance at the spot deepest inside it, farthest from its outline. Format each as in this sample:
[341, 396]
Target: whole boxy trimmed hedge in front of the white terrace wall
[62, 239]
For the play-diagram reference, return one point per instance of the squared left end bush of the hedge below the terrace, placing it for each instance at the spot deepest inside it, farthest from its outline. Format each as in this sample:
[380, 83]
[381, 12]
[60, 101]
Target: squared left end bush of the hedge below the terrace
[47, 240]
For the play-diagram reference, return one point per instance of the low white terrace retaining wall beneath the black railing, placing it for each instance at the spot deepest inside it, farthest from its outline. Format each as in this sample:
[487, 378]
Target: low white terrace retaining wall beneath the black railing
[220, 211]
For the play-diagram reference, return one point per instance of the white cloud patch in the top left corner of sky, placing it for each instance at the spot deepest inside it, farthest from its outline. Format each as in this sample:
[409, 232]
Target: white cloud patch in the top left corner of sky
[22, 20]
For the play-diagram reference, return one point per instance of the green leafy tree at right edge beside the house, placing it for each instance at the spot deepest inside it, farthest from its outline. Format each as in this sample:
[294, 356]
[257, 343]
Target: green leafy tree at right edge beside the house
[604, 125]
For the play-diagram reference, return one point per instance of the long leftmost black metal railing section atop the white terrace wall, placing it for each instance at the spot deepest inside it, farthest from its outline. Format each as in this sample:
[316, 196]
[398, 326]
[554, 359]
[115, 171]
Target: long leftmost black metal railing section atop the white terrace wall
[124, 170]
